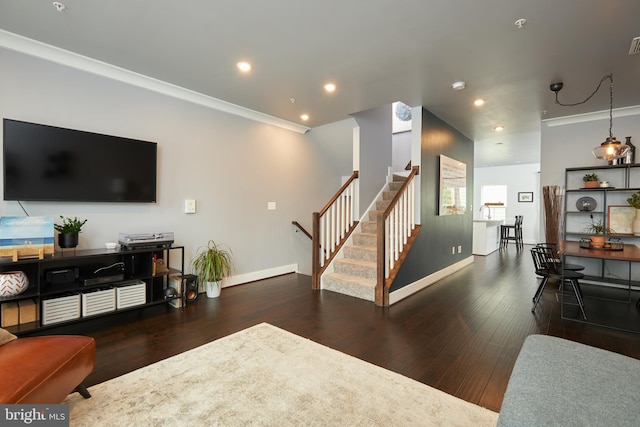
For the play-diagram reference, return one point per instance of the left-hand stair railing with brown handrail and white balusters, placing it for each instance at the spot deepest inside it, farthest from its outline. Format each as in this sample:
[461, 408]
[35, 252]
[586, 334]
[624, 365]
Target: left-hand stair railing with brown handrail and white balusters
[331, 228]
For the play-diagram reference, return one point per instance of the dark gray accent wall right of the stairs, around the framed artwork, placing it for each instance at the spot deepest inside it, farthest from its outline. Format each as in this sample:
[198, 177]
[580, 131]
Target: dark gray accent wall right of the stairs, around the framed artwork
[431, 251]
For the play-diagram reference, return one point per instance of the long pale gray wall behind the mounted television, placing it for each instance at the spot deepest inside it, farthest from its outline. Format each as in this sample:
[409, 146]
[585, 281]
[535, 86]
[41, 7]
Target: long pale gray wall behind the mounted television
[231, 165]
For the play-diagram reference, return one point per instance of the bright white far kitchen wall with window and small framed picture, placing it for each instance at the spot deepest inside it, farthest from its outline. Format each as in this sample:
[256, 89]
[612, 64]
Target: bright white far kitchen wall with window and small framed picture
[517, 178]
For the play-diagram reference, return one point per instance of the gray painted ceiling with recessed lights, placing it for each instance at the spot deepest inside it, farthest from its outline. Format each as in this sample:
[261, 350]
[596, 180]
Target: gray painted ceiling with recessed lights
[375, 51]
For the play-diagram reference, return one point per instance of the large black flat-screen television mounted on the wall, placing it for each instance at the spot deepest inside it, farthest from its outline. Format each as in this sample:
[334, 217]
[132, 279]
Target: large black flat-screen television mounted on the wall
[47, 163]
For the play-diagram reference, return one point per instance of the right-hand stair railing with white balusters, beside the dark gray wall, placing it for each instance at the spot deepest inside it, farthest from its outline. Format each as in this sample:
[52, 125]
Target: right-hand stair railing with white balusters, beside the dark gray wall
[396, 232]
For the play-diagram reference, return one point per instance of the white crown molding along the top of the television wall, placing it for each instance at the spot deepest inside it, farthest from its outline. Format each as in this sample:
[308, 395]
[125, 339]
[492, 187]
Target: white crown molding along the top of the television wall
[61, 56]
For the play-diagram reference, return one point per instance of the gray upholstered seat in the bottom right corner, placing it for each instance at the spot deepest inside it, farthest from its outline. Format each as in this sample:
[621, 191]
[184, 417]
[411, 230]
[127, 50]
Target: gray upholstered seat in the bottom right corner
[556, 382]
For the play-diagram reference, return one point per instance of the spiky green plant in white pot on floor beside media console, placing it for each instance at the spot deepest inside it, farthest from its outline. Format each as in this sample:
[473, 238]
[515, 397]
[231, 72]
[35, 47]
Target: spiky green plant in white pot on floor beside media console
[211, 265]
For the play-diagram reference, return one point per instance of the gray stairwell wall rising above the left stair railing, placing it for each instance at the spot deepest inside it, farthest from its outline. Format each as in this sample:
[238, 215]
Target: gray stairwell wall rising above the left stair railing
[375, 152]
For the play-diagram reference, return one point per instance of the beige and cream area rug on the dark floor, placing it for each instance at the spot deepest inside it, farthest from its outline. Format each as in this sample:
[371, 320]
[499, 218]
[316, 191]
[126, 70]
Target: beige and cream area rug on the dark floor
[264, 375]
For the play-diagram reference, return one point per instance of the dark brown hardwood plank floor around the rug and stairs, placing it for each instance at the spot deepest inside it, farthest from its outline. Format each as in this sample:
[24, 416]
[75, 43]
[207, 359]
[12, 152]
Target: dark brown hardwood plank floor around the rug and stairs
[460, 335]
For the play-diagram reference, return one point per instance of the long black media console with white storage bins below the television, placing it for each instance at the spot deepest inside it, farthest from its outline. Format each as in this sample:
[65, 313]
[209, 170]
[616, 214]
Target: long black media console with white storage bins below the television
[85, 284]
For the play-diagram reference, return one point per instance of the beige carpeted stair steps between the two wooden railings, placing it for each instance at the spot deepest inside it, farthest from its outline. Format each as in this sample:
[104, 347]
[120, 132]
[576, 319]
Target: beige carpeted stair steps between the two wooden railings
[355, 273]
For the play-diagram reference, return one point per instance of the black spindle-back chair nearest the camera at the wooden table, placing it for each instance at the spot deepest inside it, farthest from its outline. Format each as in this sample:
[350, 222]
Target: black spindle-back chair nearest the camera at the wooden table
[550, 268]
